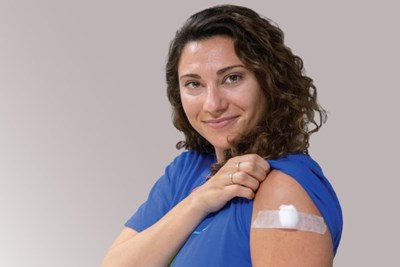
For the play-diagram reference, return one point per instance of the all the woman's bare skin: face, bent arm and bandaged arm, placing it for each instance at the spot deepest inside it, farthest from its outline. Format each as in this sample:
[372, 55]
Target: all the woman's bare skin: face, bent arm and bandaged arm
[221, 99]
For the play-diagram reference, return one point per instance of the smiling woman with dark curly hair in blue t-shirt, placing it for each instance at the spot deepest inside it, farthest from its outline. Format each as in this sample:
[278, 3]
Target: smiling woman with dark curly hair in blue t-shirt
[247, 111]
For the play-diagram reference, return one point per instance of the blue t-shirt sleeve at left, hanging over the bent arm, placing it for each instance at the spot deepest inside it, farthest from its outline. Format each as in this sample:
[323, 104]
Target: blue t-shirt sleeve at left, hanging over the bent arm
[158, 203]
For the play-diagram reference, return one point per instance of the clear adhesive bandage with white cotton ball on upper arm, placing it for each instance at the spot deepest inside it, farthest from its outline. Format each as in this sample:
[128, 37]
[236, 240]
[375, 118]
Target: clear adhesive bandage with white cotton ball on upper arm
[287, 217]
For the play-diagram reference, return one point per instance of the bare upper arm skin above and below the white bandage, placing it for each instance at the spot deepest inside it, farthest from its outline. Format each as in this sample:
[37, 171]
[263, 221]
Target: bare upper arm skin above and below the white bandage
[278, 247]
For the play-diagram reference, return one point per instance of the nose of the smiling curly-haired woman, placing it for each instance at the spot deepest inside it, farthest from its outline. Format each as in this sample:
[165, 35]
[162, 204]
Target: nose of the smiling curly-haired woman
[215, 101]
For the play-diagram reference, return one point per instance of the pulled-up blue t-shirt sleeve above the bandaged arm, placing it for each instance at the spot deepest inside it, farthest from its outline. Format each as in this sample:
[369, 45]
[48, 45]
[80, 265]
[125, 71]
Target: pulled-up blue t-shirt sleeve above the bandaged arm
[310, 176]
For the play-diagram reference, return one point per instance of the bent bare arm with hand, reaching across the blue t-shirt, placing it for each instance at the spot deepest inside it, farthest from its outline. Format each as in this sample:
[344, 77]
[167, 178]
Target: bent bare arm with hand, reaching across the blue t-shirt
[158, 244]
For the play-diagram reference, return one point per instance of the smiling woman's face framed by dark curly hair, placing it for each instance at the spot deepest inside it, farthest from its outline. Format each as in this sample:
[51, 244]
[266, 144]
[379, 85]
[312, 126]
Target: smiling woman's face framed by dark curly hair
[220, 96]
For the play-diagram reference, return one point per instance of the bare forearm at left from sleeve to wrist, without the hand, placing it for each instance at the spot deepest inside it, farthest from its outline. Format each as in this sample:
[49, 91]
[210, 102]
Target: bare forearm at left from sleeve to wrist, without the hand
[158, 244]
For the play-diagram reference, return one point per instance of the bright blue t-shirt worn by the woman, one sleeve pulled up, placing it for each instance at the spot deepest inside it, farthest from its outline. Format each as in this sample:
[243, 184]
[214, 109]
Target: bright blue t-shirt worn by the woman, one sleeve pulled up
[223, 238]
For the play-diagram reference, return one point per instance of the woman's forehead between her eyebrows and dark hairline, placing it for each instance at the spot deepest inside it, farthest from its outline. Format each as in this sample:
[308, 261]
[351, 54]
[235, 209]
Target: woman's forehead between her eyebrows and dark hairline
[215, 52]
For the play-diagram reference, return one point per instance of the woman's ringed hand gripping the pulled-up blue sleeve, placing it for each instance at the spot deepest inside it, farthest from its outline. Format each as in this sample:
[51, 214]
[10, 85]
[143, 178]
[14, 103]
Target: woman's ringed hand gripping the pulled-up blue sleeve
[239, 177]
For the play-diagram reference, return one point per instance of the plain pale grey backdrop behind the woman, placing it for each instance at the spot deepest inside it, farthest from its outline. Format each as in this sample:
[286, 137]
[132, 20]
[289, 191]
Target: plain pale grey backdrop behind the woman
[85, 124]
